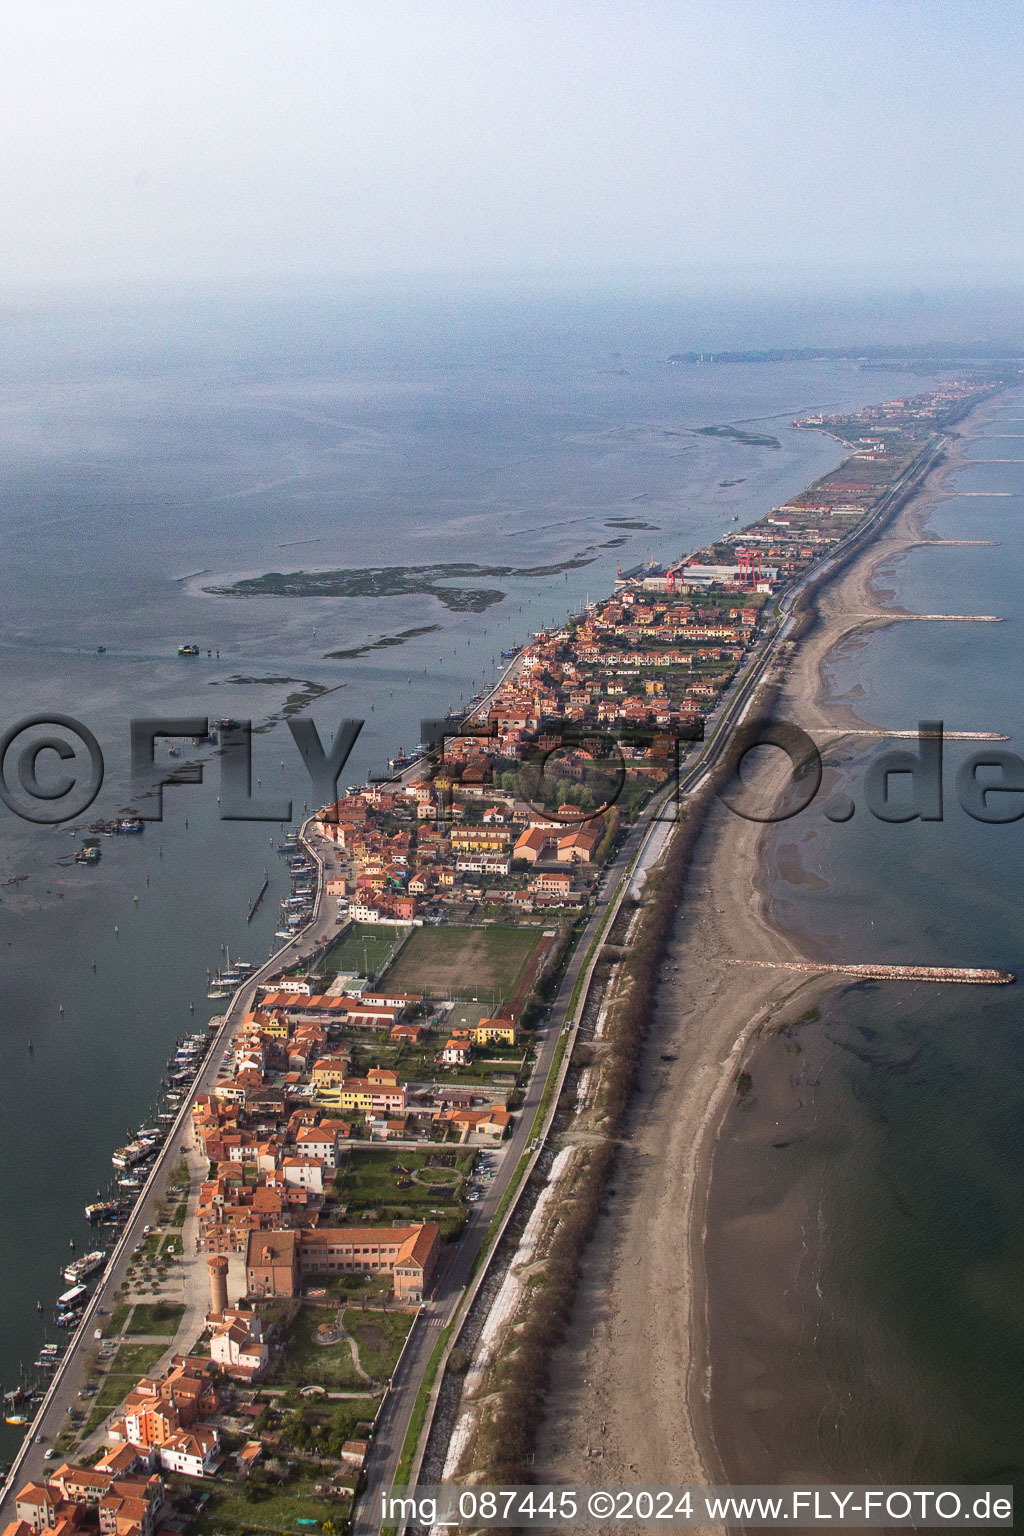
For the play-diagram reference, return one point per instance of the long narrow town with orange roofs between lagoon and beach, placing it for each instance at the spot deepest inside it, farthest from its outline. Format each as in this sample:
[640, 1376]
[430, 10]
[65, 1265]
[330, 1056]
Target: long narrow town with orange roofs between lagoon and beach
[337, 1153]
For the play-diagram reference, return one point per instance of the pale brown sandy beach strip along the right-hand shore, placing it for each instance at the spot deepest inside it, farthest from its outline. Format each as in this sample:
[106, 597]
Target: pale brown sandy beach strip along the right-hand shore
[632, 1386]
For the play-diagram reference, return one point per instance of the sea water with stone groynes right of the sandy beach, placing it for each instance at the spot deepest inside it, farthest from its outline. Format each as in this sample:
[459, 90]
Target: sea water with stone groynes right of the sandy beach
[897, 1121]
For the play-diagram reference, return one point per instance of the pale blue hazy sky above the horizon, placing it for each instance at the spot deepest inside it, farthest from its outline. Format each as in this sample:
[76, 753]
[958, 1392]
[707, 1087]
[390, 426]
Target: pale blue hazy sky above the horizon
[263, 137]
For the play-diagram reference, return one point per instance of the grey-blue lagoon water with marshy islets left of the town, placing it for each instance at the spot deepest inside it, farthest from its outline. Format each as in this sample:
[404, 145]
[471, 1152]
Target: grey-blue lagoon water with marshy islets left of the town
[157, 439]
